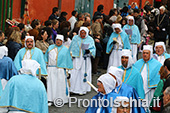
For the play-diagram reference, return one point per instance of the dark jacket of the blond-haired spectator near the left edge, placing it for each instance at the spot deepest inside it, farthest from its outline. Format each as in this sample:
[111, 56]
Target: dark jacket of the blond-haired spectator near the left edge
[13, 48]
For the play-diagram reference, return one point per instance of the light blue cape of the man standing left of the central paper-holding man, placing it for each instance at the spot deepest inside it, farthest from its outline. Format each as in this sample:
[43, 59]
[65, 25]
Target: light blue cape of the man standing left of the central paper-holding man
[63, 59]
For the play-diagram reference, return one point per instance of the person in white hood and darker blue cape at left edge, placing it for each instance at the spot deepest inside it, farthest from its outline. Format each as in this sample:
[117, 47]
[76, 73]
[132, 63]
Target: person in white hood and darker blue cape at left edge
[7, 68]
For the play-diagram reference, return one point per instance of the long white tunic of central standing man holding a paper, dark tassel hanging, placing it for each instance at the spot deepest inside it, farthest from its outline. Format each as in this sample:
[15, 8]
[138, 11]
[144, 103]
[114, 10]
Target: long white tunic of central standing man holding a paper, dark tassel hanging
[77, 75]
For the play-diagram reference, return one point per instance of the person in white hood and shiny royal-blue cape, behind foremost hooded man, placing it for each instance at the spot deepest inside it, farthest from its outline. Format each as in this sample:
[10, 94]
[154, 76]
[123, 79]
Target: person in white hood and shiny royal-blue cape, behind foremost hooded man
[123, 89]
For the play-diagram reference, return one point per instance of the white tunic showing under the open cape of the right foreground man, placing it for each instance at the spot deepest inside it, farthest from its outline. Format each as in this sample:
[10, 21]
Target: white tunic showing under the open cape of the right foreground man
[148, 91]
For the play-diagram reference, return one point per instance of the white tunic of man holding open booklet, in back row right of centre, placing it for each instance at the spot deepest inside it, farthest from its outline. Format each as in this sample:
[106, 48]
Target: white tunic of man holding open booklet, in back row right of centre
[115, 56]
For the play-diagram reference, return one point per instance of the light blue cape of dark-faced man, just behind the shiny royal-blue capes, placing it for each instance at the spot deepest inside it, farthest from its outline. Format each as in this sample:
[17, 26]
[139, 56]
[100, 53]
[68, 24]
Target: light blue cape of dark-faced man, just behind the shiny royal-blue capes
[134, 79]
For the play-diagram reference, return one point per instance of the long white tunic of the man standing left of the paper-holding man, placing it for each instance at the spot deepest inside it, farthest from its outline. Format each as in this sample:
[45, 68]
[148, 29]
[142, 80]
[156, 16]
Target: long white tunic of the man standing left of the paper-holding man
[57, 80]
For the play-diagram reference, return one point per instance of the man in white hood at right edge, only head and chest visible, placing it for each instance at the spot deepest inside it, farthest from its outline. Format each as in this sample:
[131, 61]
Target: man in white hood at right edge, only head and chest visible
[160, 54]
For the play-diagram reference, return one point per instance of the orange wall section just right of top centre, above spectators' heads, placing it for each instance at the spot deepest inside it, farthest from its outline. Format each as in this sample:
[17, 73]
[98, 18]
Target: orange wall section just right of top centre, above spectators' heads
[108, 4]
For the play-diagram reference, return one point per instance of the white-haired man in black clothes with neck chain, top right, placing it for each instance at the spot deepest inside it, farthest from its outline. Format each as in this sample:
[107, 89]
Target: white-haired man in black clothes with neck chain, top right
[161, 24]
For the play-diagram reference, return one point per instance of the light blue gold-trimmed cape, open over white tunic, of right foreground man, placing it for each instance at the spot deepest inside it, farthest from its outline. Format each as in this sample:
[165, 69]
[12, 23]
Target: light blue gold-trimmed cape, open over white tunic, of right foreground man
[153, 76]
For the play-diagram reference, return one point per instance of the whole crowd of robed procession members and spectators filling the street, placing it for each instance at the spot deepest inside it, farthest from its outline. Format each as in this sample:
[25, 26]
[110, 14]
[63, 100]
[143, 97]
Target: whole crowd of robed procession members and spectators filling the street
[64, 55]
